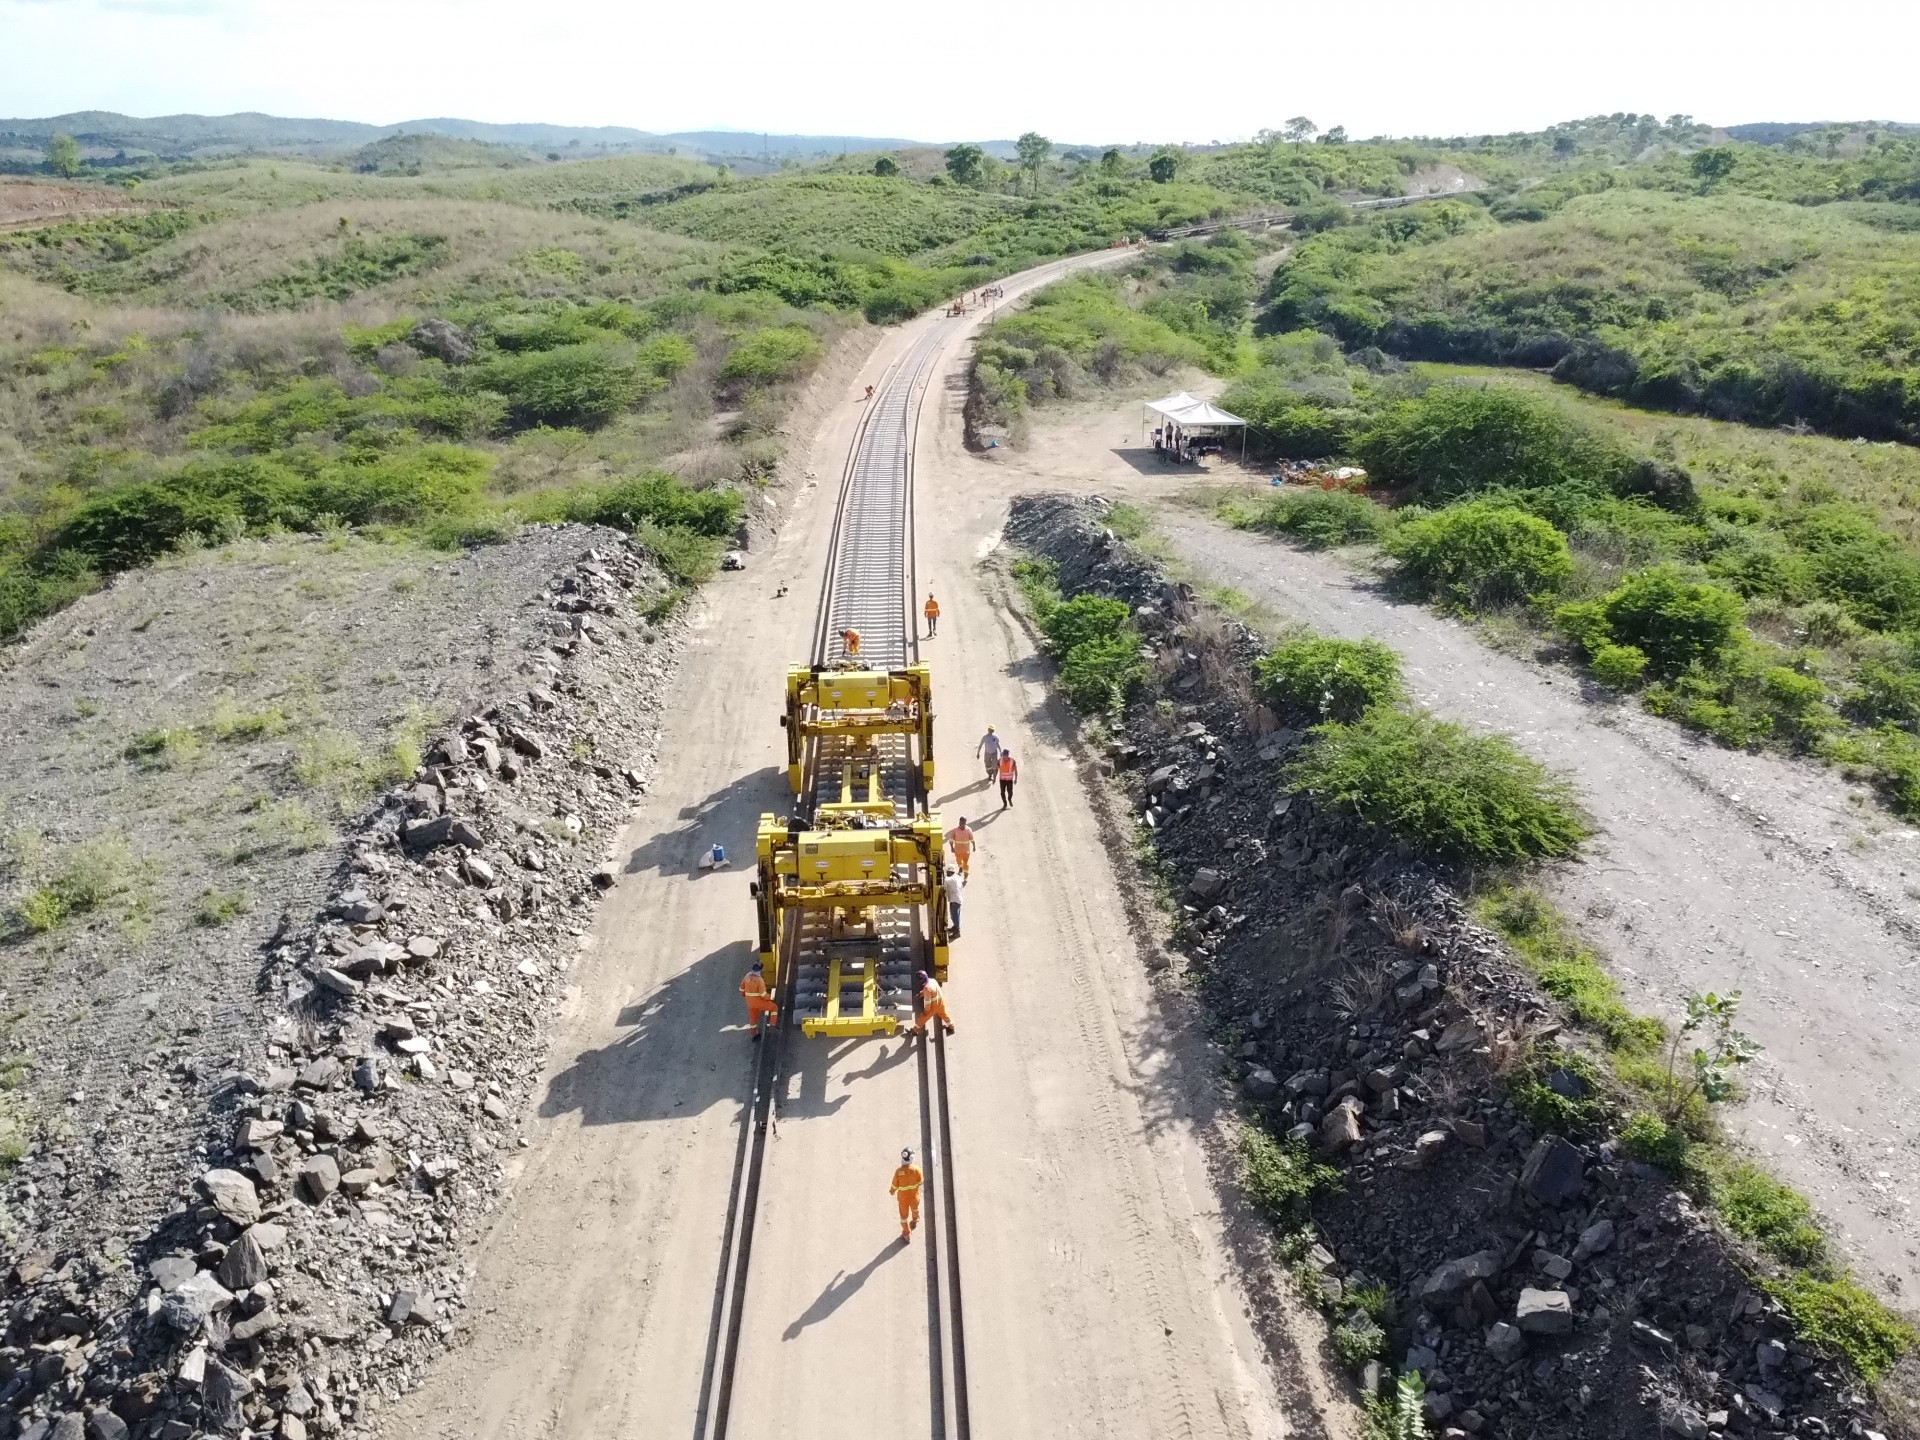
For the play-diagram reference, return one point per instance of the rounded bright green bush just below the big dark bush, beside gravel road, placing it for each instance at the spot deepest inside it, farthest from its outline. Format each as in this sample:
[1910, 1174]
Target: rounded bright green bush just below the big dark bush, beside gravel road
[1483, 554]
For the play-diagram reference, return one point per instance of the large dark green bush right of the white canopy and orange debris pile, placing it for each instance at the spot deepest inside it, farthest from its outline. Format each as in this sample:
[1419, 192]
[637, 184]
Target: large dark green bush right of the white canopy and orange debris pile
[1456, 441]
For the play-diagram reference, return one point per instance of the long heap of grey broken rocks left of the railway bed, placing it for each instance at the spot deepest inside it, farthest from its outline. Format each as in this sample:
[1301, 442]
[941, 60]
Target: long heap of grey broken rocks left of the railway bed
[310, 1264]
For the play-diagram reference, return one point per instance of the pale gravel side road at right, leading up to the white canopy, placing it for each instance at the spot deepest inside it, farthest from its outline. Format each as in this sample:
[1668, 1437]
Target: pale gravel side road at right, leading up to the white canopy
[1716, 869]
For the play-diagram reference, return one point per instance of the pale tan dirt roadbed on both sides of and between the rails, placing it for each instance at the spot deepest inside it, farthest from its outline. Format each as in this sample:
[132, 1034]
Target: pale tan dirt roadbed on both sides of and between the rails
[1101, 1301]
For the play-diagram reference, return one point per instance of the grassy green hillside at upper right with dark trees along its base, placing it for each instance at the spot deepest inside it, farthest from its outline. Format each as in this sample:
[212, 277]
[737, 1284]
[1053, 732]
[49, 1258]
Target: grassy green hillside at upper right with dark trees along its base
[1744, 297]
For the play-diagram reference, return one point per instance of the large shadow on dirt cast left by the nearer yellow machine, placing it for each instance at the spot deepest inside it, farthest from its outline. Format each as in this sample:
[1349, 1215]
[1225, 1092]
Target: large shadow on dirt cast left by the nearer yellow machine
[677, 1055]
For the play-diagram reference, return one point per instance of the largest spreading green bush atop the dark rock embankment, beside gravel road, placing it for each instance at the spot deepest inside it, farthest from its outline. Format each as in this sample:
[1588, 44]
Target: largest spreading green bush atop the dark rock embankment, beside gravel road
[1441, 788]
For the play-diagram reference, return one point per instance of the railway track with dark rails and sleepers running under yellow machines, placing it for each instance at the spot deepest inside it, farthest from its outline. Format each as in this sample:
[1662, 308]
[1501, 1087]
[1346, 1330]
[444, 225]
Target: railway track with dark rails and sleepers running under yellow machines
[871, 587]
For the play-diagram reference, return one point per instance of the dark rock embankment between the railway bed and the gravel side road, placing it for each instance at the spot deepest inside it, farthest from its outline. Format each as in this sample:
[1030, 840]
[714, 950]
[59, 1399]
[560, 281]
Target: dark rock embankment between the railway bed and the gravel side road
[1545, 1285]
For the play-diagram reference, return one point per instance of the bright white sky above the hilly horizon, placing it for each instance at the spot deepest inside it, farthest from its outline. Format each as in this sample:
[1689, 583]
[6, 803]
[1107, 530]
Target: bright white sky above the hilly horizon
[1078, 72]
